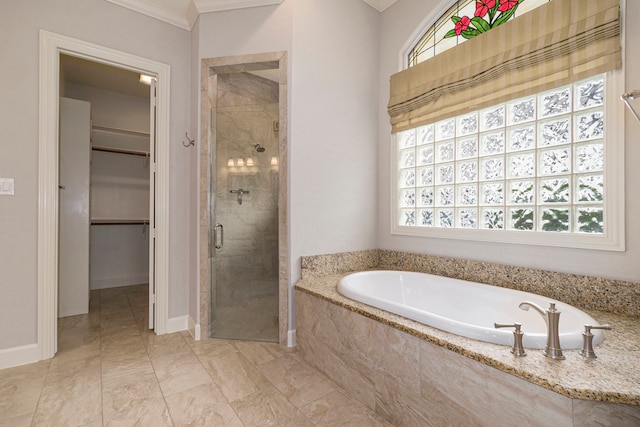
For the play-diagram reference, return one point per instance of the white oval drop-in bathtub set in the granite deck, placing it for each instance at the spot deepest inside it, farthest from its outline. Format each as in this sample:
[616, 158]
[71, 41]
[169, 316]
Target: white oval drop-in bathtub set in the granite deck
[465, 308]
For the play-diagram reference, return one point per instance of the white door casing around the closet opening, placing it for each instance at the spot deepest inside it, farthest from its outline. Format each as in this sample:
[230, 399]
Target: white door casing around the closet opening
[52, 45]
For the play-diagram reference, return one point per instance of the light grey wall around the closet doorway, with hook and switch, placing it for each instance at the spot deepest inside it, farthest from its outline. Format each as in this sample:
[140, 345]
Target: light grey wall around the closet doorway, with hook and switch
[105, 24]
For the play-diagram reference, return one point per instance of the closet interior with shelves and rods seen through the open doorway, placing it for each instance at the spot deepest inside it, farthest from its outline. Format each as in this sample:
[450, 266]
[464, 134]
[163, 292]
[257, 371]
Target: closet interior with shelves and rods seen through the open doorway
[106, 123]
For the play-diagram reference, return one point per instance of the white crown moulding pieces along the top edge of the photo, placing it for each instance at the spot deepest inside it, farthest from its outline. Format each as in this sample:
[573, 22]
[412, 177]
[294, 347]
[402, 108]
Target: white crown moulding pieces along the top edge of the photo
[183, 13]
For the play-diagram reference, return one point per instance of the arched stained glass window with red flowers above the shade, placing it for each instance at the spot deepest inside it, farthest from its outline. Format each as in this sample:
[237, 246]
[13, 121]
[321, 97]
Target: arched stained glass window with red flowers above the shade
[459, 23]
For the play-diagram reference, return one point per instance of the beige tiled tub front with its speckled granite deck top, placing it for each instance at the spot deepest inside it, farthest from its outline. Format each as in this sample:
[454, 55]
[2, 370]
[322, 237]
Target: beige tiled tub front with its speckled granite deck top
[402, 369]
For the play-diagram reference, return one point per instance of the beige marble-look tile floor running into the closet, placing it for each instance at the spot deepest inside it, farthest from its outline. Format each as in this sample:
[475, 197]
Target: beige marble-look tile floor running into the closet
[111, 371]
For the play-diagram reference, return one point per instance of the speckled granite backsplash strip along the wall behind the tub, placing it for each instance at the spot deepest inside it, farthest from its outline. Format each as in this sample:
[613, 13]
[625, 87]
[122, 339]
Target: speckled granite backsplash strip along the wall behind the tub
[586, 292]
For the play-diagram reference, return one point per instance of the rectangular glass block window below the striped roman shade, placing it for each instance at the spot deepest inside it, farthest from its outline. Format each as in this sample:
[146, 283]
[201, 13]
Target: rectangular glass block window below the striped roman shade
[534, 164]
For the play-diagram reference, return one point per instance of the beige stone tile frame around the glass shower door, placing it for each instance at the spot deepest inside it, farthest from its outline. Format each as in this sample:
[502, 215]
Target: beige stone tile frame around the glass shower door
[208, 94]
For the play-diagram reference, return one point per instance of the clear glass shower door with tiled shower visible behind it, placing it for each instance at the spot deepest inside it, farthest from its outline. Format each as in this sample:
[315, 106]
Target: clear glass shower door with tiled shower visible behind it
[243, 206]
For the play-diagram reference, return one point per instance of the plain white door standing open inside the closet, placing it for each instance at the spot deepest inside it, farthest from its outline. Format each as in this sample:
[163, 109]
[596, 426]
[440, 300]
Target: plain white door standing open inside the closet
[74, 196]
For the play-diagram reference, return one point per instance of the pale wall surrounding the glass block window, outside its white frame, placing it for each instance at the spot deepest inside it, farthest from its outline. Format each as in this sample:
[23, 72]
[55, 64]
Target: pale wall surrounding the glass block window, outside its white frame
[399, 25]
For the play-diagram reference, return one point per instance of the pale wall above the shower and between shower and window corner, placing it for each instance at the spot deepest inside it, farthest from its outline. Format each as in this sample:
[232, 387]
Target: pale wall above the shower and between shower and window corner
[333, 55]
